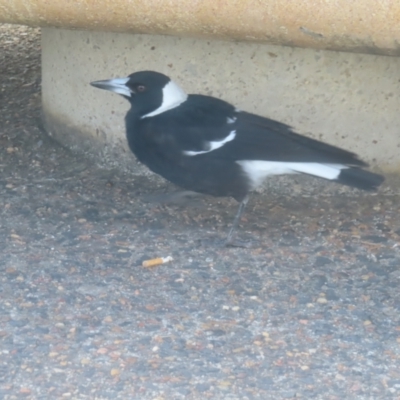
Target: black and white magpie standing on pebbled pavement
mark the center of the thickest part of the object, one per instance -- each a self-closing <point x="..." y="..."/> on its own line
<point x="207" y="145"/>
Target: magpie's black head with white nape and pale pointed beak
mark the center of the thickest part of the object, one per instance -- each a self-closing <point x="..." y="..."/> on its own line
<point x="150" y="93"/>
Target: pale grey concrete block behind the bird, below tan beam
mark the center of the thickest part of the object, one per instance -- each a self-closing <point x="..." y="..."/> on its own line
<point x="350" y="100"/>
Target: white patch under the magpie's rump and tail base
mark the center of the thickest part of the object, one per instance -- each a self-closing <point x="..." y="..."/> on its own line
<point x="257" y="170"/>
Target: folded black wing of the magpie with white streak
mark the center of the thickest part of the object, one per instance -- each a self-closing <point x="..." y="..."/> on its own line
<point x="208" y="127"/>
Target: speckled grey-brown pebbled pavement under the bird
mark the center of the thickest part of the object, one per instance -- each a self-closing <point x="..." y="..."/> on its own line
<point x="313" y="311"/>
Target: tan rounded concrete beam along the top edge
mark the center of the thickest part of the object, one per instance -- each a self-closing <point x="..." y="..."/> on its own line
<point x="367" y="26"/>
